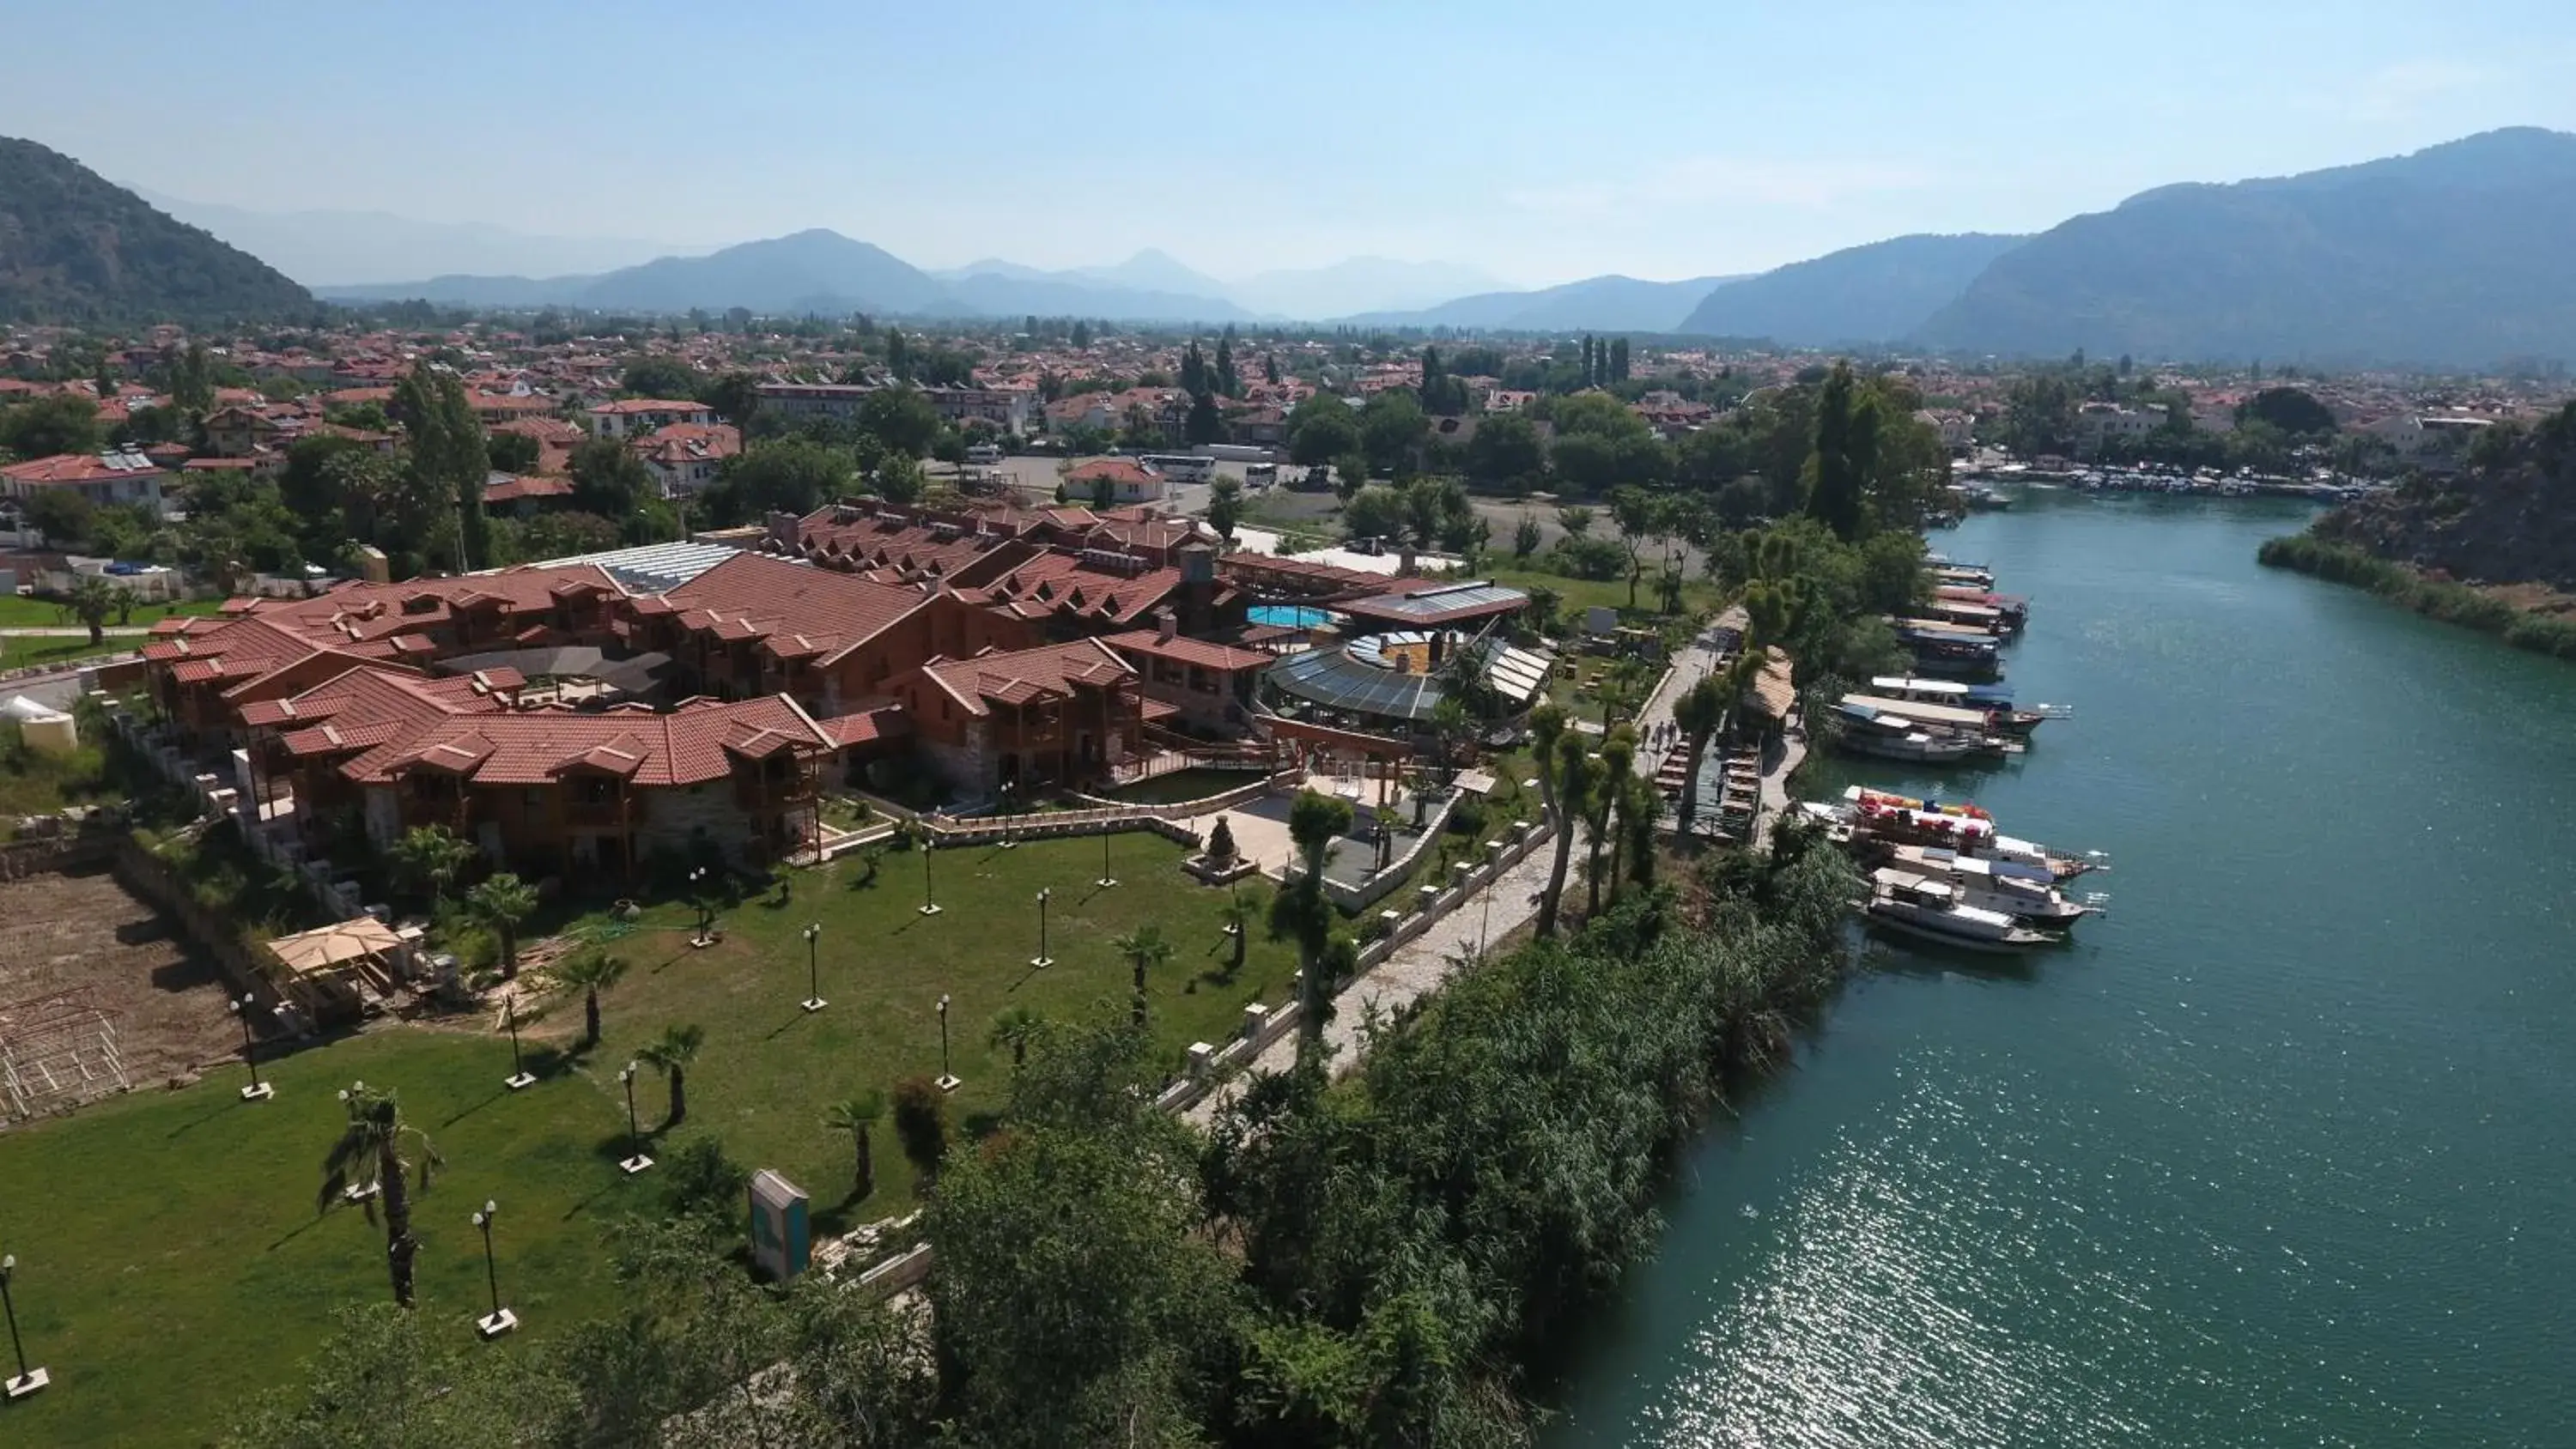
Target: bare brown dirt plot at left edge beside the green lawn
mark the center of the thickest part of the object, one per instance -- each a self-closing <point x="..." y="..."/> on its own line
<point x="89" y="938"/>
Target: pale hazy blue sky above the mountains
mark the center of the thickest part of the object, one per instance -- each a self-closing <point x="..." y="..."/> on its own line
<point x="1542" y="143"/>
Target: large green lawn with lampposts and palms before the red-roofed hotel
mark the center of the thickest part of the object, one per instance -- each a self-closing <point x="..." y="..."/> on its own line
<point x="169" y="1247"/>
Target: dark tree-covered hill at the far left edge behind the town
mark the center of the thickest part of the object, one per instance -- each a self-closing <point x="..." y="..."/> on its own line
<point x="81" y="248"/>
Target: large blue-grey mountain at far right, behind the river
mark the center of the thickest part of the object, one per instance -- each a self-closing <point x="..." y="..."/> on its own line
<point x="2454" y="256"/>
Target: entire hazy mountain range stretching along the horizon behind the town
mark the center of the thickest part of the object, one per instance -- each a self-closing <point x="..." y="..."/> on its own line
<point x="2454" y="256"/>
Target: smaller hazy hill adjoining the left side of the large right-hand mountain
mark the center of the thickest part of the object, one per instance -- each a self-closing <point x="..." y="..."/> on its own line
<point x="1859" y="295"/>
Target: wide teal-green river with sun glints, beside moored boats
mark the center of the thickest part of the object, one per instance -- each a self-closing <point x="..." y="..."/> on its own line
<point x="2276" y="1154"/>
